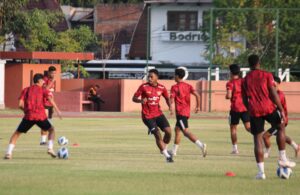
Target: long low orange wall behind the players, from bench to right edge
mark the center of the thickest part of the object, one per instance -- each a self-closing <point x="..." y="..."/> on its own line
<point x="118" y="94"/>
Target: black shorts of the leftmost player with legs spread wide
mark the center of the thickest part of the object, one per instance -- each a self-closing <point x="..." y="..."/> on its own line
<point x="25" y="125"/>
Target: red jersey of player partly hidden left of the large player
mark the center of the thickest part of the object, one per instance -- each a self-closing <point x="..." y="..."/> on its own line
<point x="237" y="104"/>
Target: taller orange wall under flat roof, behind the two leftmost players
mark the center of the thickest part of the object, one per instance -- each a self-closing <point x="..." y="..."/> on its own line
<point x="18" y="76"/>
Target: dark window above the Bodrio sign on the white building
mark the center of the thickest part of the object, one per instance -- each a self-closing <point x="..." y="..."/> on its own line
<point x="182" y="20"/>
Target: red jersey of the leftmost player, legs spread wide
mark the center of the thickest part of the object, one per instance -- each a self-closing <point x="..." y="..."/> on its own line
<point x="33" y="98"/>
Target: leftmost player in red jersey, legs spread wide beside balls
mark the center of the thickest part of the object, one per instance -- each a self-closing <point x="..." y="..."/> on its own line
<point x="31" y="102"/>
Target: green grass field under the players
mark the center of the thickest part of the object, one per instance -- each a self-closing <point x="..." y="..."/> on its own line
<point x="116" y="156"/>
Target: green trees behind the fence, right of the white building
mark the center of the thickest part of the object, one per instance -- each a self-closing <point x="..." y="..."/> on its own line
<point x="258" y="29"/>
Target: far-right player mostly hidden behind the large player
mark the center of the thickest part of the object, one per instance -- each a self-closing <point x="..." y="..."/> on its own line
<point x="273" y="131"/>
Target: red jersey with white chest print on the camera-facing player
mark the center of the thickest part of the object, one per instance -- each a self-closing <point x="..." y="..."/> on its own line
<point x="151" y="108"/>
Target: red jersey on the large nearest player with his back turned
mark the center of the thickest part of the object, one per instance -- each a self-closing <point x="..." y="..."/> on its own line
<point x="256" y="87"/>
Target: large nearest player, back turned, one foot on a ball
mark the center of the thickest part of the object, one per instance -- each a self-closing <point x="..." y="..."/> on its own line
<point x="259" y="97"/>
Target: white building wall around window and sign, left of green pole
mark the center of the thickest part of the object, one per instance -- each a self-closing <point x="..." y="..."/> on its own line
<point x="177" y="52"/>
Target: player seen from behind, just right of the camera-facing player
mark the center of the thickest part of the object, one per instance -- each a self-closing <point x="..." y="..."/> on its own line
<point x="181" y="95"/>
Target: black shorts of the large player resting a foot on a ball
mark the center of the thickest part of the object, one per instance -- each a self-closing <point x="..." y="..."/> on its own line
<point x="258" y="123"/>
